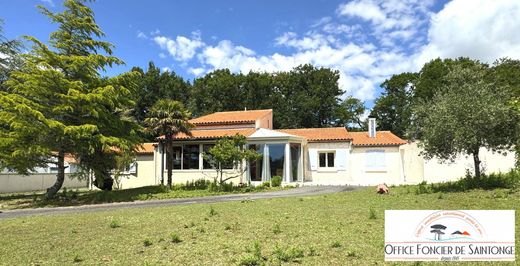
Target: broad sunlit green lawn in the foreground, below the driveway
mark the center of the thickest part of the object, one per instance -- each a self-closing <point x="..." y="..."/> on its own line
<point x="333" y="229"/>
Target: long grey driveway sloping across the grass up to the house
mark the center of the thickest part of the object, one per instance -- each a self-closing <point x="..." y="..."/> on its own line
<point x="295" y="192"/>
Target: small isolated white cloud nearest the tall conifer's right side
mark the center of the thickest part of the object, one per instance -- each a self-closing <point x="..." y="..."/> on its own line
<point x="181" y="48"/>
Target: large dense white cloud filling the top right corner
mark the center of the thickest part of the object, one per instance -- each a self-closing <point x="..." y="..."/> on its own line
<point x="479" y="29"/>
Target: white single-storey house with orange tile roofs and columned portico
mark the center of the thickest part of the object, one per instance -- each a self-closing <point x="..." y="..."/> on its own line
<point x="310" y="156"/>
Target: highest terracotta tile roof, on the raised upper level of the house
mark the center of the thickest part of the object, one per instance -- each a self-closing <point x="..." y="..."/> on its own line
<point x="238" y="117"/>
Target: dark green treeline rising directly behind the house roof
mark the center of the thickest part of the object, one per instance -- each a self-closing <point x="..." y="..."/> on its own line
<point x="306" y="96"/>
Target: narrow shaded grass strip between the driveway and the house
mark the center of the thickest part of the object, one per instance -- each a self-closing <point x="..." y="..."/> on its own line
<point x="83" y="197"/>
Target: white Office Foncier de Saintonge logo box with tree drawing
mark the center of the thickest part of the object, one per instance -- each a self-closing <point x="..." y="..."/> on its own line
<point x="449" y="235"/>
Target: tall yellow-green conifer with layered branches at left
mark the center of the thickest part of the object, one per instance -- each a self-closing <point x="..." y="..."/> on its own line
<point x="59" y="104"/>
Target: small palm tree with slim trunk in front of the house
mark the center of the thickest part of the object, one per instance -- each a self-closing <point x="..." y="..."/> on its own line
<point x="168" y="118"/>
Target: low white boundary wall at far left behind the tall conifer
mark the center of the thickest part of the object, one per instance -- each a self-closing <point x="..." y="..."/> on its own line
<point x="35" y="182"/>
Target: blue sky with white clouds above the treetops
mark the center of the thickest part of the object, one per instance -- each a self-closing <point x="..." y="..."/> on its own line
<point x="366" y="40"/>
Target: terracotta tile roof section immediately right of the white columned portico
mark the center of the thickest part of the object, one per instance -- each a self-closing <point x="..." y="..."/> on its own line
<point x="320" y="134"/>
